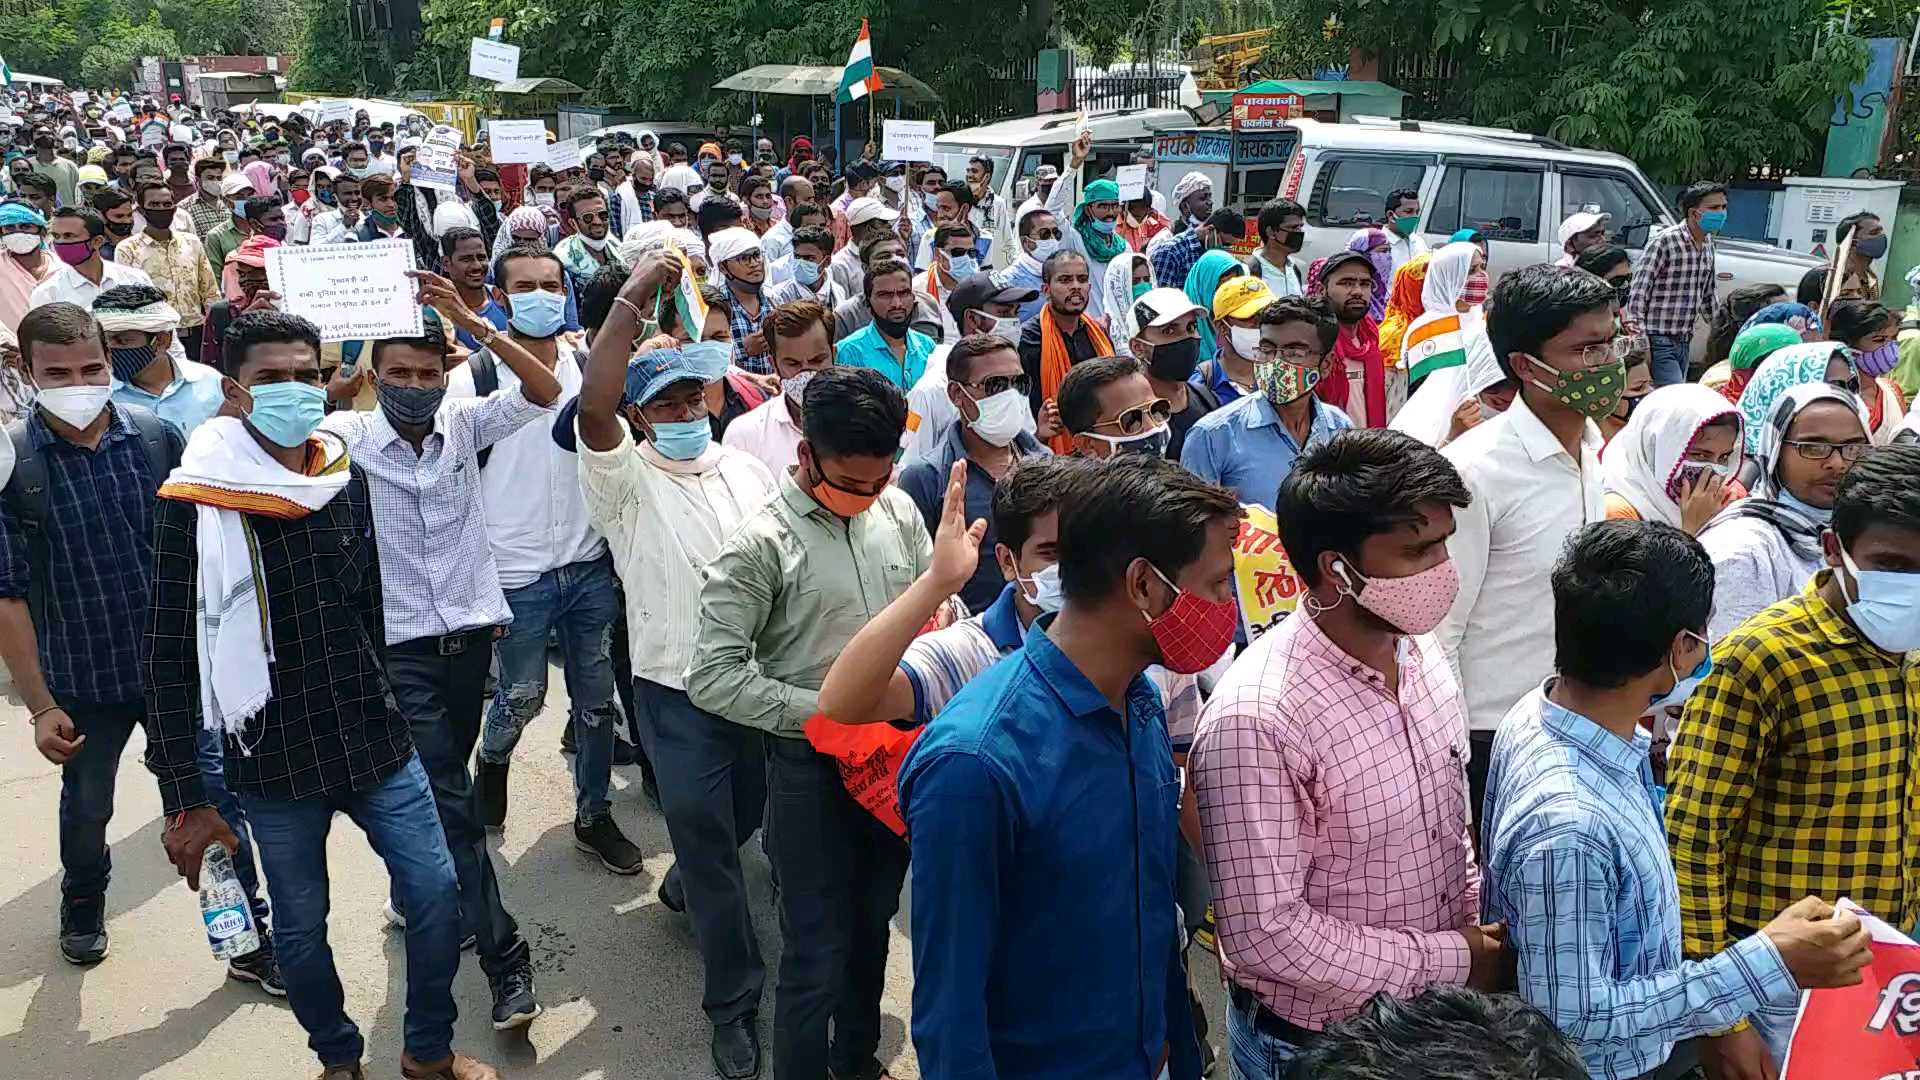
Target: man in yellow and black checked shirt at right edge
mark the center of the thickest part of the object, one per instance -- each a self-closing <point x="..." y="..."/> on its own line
<point x="1810" y="704"/>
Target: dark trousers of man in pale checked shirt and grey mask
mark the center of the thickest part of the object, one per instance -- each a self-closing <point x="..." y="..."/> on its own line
<point x="441" y="687"/>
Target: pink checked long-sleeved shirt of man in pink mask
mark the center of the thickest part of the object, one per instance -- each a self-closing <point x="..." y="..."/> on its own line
<point x="1335" y="823"/>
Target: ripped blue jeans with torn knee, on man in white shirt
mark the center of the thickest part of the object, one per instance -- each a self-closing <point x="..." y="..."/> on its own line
<point x="583" y="604"/>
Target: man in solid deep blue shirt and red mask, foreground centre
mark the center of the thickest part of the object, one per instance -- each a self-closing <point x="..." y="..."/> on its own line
<point x="1015" y="895"/>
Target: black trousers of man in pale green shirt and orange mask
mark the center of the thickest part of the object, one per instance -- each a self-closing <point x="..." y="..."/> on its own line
<point x="840" y="879"/>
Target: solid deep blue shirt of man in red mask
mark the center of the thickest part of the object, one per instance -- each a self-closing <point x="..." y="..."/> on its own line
<point x="1044" y="827"/>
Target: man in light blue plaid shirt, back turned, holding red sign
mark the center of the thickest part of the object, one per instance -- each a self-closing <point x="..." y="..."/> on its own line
<point x="1575" y="841"/>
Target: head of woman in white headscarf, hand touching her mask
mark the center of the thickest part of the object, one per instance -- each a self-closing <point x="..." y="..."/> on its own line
<point x="1675" y="460"/>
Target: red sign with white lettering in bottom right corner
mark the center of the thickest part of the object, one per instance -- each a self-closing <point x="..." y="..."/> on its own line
<point x="1869" y="1031"/>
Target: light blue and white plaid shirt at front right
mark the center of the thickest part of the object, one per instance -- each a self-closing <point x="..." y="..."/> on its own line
<point x="1577" y="868"/>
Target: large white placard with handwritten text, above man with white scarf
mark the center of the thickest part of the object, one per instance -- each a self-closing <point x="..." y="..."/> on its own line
<point x="348" y="291"/>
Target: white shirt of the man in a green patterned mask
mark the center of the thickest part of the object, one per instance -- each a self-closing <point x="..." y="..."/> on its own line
<point x="1527" y="499"/>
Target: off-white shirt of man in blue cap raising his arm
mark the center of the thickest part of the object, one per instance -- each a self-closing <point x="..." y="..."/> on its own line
<point x="663" y="522"/>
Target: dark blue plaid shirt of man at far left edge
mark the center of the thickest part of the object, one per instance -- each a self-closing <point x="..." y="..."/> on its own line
<point x="101" y="549"/>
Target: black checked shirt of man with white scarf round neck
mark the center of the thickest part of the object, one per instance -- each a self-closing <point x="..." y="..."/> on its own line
<point x="327" y="725"/>
